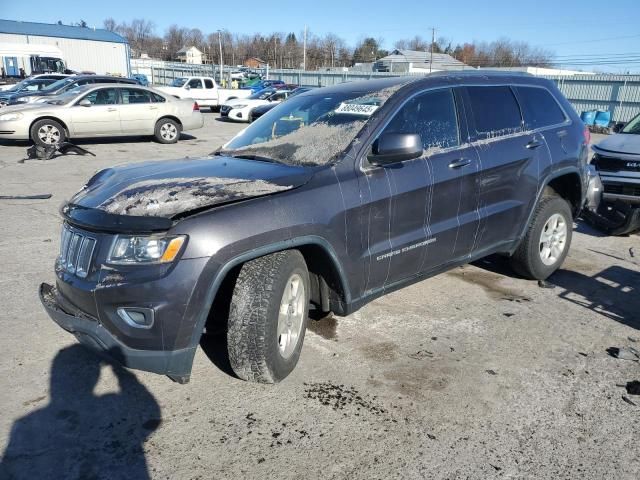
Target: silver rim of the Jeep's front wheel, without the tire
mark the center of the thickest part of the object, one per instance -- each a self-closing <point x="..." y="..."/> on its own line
<point x="291" y="315"/>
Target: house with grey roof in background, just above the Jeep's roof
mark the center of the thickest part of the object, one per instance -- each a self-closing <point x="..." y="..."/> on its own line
<point x="408" y="61"/>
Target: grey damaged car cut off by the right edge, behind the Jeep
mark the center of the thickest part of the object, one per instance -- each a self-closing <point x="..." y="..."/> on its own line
<point x="617" y="159"/>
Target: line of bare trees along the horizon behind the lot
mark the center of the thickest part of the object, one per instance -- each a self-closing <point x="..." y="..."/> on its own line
<point x="286" y="50"/>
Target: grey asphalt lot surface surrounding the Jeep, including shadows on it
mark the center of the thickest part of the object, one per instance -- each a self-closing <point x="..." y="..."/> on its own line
<point x="474" y="373"/>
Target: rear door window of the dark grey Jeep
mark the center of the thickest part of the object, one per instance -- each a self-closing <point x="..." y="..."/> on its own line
<point x="495" y="110"/>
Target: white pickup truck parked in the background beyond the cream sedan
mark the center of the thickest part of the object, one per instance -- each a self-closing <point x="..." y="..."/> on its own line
<point x="203" y="90"/>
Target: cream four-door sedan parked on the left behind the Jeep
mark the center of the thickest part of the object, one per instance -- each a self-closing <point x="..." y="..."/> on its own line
<point x="101" y="110"/>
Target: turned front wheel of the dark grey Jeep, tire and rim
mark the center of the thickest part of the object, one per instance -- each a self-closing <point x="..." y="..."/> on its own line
<point x="258" y="348"/>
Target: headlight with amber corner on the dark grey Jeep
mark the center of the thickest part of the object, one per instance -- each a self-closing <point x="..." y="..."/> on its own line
<point x="127" y="250"/>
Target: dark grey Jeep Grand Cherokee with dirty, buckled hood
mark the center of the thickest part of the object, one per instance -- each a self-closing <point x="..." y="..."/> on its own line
<point x="333" y="198"/>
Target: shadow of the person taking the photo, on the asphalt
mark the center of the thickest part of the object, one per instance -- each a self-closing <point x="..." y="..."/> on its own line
<point x="79" y="434"/>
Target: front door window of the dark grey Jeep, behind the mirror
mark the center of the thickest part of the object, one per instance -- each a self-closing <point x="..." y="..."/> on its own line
<point x="432" y="115"/>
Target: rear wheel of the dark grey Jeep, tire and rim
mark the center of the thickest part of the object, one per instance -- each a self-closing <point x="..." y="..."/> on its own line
<point x="537" y="257"/>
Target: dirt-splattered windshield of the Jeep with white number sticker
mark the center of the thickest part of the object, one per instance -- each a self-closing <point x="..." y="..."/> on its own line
<point x="308" y="129"/>
